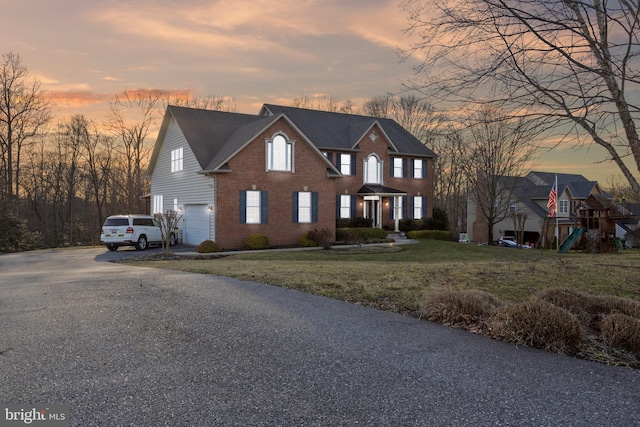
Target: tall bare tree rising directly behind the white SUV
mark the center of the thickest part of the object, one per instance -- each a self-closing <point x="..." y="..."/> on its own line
<point x="131" y="120"/>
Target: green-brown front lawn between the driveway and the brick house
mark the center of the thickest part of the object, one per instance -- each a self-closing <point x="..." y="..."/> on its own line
<point x="396" y="278"/>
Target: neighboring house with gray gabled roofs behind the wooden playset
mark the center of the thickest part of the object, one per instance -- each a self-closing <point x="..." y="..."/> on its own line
<point x="530" y="197"/>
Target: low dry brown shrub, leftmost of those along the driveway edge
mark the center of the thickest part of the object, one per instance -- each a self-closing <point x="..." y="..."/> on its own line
<point x="459" y="308"/>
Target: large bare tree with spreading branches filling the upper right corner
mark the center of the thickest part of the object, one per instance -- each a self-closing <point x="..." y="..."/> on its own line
<point x="573" y="64"/>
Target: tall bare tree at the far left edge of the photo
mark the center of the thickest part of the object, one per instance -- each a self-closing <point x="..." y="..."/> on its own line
<point x="24" y="110"/>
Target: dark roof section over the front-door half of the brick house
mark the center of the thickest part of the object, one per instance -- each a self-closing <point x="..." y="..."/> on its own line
<point x="340" y="131"/>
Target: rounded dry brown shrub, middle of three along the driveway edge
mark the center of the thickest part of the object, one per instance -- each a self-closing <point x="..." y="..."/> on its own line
<point x="537" y="324"/>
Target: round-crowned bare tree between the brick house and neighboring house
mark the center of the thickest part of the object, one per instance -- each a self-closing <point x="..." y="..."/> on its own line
<point x="498" y="151"/>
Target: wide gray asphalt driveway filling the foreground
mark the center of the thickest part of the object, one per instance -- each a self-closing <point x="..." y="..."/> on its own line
<point x="144" y="346"/>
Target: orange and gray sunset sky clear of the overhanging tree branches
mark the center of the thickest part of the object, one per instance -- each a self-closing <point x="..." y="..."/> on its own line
<point x="254" y="51"/>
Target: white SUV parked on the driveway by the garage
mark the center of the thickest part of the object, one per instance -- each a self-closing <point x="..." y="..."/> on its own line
<point x="140" y="231"/>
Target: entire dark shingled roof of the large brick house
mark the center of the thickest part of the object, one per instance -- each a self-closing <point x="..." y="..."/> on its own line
<point x="216" y="136"/>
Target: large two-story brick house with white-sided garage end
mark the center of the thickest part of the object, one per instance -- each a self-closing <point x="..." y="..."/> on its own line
<point x="284" y="172"/>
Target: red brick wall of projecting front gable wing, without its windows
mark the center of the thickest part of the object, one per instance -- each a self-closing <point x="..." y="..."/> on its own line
<point x="248" y="172"/>
